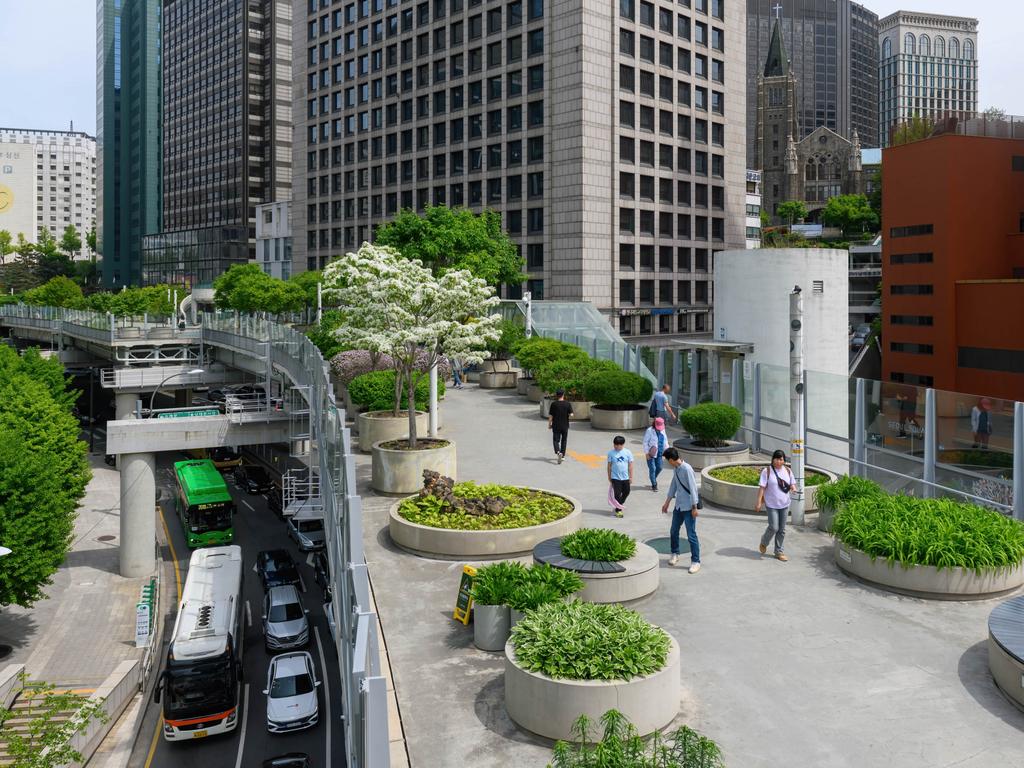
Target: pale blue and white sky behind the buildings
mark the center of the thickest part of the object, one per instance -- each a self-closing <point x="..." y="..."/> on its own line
<point x="49" y="49"/>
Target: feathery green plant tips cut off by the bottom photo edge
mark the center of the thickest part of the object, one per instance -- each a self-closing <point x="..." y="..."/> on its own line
<point x="622" y="747"/>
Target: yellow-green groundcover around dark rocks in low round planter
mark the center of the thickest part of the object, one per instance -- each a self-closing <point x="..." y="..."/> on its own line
<point x="526" y="508"/>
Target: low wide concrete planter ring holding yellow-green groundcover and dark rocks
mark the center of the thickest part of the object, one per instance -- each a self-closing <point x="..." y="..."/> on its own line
<point x="446" y="543"/>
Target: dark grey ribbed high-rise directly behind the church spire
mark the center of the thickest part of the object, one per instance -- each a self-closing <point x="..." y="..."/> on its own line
<point x="833" y="57"/>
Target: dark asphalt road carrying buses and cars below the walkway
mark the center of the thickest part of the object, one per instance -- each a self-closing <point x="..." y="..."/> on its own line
<point x="249" y="745"/>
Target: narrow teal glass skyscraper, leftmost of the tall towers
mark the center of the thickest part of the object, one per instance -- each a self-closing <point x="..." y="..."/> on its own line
<point x="129" y="132"/>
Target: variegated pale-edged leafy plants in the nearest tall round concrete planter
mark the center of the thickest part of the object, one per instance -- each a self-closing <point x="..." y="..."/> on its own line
<point x="589" y="642"/>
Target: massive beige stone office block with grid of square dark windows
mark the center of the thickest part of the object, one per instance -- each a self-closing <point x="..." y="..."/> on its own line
<point x="607" y="136"/>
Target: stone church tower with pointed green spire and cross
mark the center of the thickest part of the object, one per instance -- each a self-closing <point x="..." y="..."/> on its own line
<point x="778" y="129"/>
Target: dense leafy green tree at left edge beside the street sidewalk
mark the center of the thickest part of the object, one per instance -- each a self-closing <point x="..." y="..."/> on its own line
<point x="44" y="475"/>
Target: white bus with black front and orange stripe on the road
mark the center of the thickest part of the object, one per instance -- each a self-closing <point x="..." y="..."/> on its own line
<point x="201" y="685"/>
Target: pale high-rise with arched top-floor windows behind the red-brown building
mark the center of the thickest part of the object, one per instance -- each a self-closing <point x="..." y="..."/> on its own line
<point x="928" y="68"/>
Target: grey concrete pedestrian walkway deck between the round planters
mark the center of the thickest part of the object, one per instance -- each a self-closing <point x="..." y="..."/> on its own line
<point x="783" y="664"/>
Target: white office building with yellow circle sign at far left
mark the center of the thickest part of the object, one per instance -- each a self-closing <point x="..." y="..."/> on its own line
<point x="48" y="180"/>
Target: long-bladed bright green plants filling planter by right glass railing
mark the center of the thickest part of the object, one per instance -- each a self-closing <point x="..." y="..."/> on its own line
<point x="943" y="533"/>
